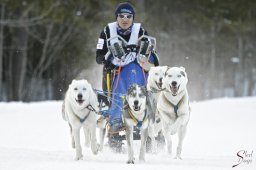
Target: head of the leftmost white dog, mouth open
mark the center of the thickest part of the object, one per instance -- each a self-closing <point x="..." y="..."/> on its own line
<point x="82" y="94"/>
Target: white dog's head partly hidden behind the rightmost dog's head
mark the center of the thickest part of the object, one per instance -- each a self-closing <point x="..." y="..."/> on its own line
<point x="155" y="77"/>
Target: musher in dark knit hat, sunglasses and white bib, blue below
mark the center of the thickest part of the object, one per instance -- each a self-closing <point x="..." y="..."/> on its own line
<point x="127" y="53"/>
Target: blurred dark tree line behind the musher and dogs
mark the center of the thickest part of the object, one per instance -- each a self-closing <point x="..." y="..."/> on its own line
<point x="45" y="44"/>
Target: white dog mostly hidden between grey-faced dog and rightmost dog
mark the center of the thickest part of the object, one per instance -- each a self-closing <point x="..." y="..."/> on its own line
<point x="154" y="87"/>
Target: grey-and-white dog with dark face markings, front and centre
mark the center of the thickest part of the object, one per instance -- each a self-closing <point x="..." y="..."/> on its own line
<point x="135" y="115"/>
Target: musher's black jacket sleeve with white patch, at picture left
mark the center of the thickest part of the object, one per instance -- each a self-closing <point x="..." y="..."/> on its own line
<point x="101" y="48"/>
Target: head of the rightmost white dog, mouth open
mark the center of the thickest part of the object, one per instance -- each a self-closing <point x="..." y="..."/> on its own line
<point x="175" y="80"/>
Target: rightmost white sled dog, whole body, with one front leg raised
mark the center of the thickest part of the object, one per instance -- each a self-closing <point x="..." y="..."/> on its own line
<point x="173" y="106"/>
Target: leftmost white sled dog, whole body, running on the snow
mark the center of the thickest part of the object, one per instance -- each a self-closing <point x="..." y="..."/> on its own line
<point x="79" y="109"/>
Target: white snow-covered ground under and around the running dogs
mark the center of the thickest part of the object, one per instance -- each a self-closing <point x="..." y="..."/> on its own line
<point x="33" y="136"/>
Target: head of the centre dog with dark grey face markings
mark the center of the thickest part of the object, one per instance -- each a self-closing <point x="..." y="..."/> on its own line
<point x="136" y="98"/>
